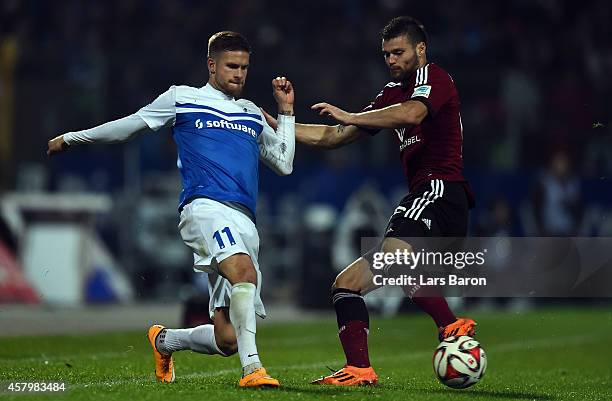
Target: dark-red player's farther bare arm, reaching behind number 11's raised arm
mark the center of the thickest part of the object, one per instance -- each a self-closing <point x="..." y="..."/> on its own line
<point x="324" y="136"/>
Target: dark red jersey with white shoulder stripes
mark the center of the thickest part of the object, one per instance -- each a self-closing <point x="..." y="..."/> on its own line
<point x="432" y="149"/>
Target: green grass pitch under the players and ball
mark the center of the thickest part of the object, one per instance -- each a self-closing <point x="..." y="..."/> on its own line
<point x="552" y="354"/>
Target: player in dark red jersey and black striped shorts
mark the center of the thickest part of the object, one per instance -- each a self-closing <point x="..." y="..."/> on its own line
<point x="421" y="105"/>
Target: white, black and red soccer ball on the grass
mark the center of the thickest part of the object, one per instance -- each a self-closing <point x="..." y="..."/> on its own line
<point x="459" y="362"/>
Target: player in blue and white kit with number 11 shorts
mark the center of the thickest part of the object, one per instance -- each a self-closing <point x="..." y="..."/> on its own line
<point x="220" y="139"/>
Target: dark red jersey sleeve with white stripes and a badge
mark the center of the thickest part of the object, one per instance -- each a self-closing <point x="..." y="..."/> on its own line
<point x="433" y="88"/>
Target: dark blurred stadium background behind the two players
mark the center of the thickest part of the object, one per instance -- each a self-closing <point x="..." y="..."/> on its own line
<point x="95" y="229"/>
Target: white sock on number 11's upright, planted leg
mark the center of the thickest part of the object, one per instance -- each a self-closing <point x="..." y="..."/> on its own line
<point x="242" y="316"/>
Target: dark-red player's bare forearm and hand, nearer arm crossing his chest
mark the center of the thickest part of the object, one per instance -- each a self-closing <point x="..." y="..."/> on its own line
<point x="395" y="116"/>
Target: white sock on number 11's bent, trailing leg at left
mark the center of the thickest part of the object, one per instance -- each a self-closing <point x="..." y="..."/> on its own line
<point x="199" y="339"/>
